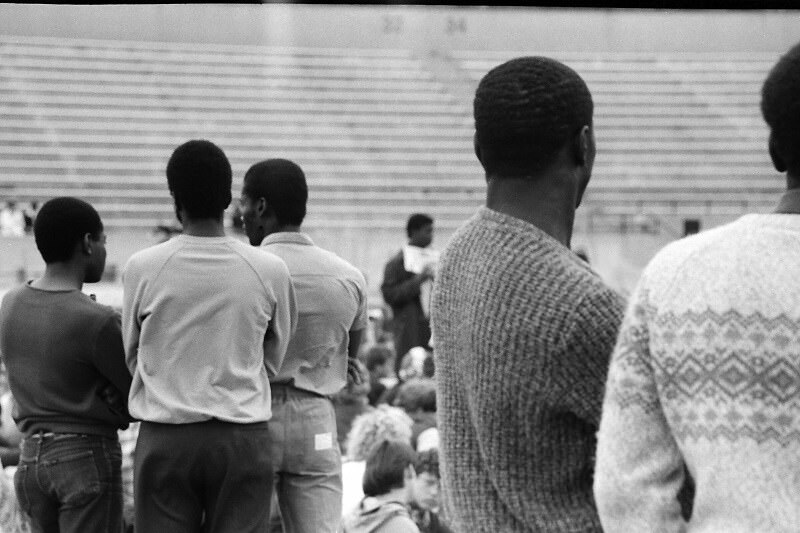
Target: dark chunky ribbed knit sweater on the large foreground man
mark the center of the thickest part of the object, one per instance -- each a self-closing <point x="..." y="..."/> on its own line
<point x="523" y="333"/>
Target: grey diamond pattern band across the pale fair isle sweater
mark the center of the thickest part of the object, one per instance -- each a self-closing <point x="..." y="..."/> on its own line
<point x="713" y="386"/>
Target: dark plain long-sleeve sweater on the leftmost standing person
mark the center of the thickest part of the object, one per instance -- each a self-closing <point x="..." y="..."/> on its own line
<point x="62" y="350"/>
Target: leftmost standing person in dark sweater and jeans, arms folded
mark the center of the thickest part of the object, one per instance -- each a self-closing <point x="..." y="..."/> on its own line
<point x="65" y="357"/>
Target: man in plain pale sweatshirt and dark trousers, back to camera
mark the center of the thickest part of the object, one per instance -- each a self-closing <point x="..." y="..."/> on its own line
<point x="206" y="322"/>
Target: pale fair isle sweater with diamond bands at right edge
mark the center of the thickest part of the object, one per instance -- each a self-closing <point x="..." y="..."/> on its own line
<point x="707" y="373"/>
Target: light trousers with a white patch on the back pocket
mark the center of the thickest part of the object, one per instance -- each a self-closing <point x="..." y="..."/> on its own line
<point x="308" y="463"/>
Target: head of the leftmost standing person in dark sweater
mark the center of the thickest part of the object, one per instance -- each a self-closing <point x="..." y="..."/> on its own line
<point x="70" y="230"/>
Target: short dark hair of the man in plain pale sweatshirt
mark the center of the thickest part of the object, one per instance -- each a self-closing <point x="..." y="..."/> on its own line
<point x="200" y="178"/>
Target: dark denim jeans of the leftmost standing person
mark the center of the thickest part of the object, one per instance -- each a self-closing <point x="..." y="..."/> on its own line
<point x="70" y="483"/>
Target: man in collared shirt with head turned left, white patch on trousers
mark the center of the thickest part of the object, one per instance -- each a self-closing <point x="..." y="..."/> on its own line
<point x="321" y="357"/>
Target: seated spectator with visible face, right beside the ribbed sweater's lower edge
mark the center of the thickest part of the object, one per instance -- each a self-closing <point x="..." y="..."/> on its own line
<point x="424" y="500"/>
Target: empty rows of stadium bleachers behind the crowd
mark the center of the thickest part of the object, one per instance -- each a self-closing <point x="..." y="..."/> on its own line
<point x="379" y="133"/>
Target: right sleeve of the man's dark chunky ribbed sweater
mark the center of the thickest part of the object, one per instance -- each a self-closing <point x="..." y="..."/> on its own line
<point x="589" y="344"/>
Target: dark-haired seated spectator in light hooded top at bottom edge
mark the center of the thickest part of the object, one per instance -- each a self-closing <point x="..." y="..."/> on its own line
<point x="387" y="484"/>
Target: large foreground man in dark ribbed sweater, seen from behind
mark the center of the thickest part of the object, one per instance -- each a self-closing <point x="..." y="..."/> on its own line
<point x="524" y="328"/>
